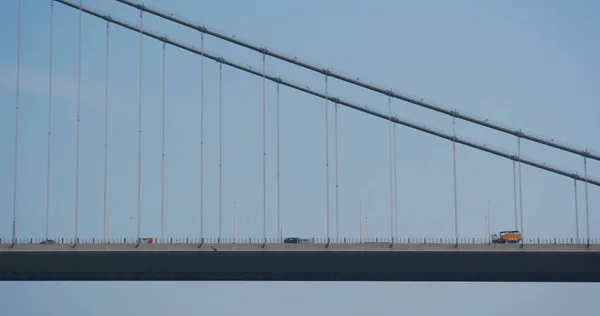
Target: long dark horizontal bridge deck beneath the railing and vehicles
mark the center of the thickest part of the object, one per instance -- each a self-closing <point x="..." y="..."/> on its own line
<point x="302" y="262"/>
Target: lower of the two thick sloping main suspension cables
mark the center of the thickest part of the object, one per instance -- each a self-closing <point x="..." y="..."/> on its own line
<point x="364" y="109"/>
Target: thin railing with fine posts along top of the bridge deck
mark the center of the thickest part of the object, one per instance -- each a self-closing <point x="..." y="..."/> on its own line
<point x="275" y="240"/>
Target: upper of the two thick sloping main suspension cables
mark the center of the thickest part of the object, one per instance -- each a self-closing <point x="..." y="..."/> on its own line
<point x="365" y="84"/>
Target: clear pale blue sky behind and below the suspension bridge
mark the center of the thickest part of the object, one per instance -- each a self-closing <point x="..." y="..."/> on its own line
<point x="530" y="65"/>
